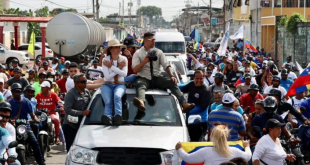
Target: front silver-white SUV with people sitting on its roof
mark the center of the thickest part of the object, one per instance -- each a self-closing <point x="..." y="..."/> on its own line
<point x="142" y="138"/>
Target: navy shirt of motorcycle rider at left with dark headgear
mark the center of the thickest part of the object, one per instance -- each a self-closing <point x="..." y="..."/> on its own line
<point x="26" y="108"/>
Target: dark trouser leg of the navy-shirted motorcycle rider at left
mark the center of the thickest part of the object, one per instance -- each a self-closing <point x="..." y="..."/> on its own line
<point x="36" y="148"/>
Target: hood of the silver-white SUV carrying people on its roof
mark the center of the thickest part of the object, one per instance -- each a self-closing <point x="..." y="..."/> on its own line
<point x="164" y="137"/>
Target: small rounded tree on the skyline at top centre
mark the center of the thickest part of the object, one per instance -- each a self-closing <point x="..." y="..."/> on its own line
<point x="150" y="11"/>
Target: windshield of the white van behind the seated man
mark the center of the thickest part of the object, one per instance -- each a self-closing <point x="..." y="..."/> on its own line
<point x="171" y="47"/>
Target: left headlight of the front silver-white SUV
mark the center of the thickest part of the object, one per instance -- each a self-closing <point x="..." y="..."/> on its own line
<point x="83" y="155"/>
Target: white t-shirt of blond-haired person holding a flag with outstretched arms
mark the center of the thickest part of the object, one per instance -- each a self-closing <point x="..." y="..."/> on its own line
<point x="208" y="155"/>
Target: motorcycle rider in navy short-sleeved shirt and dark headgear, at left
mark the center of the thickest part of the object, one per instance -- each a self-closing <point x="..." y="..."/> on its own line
<point x="21" y="107"/>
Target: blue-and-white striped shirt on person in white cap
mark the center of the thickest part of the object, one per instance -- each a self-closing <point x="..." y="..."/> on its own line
<point x="230" y="118"/>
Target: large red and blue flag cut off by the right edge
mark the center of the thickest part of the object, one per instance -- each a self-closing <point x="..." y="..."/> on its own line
<point x="300" y="83"/>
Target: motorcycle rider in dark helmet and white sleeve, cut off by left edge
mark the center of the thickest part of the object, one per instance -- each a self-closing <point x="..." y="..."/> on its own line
<point x="5" y="113"/>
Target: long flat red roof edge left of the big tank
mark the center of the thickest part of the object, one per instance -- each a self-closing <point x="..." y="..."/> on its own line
<point x="25" y="19"/>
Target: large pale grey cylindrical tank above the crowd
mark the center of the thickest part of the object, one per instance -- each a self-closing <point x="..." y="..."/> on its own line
<point x="71" y="34"/>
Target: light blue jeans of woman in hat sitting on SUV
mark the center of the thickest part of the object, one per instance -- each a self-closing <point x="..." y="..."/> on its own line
<point x="115" y="92"/>
